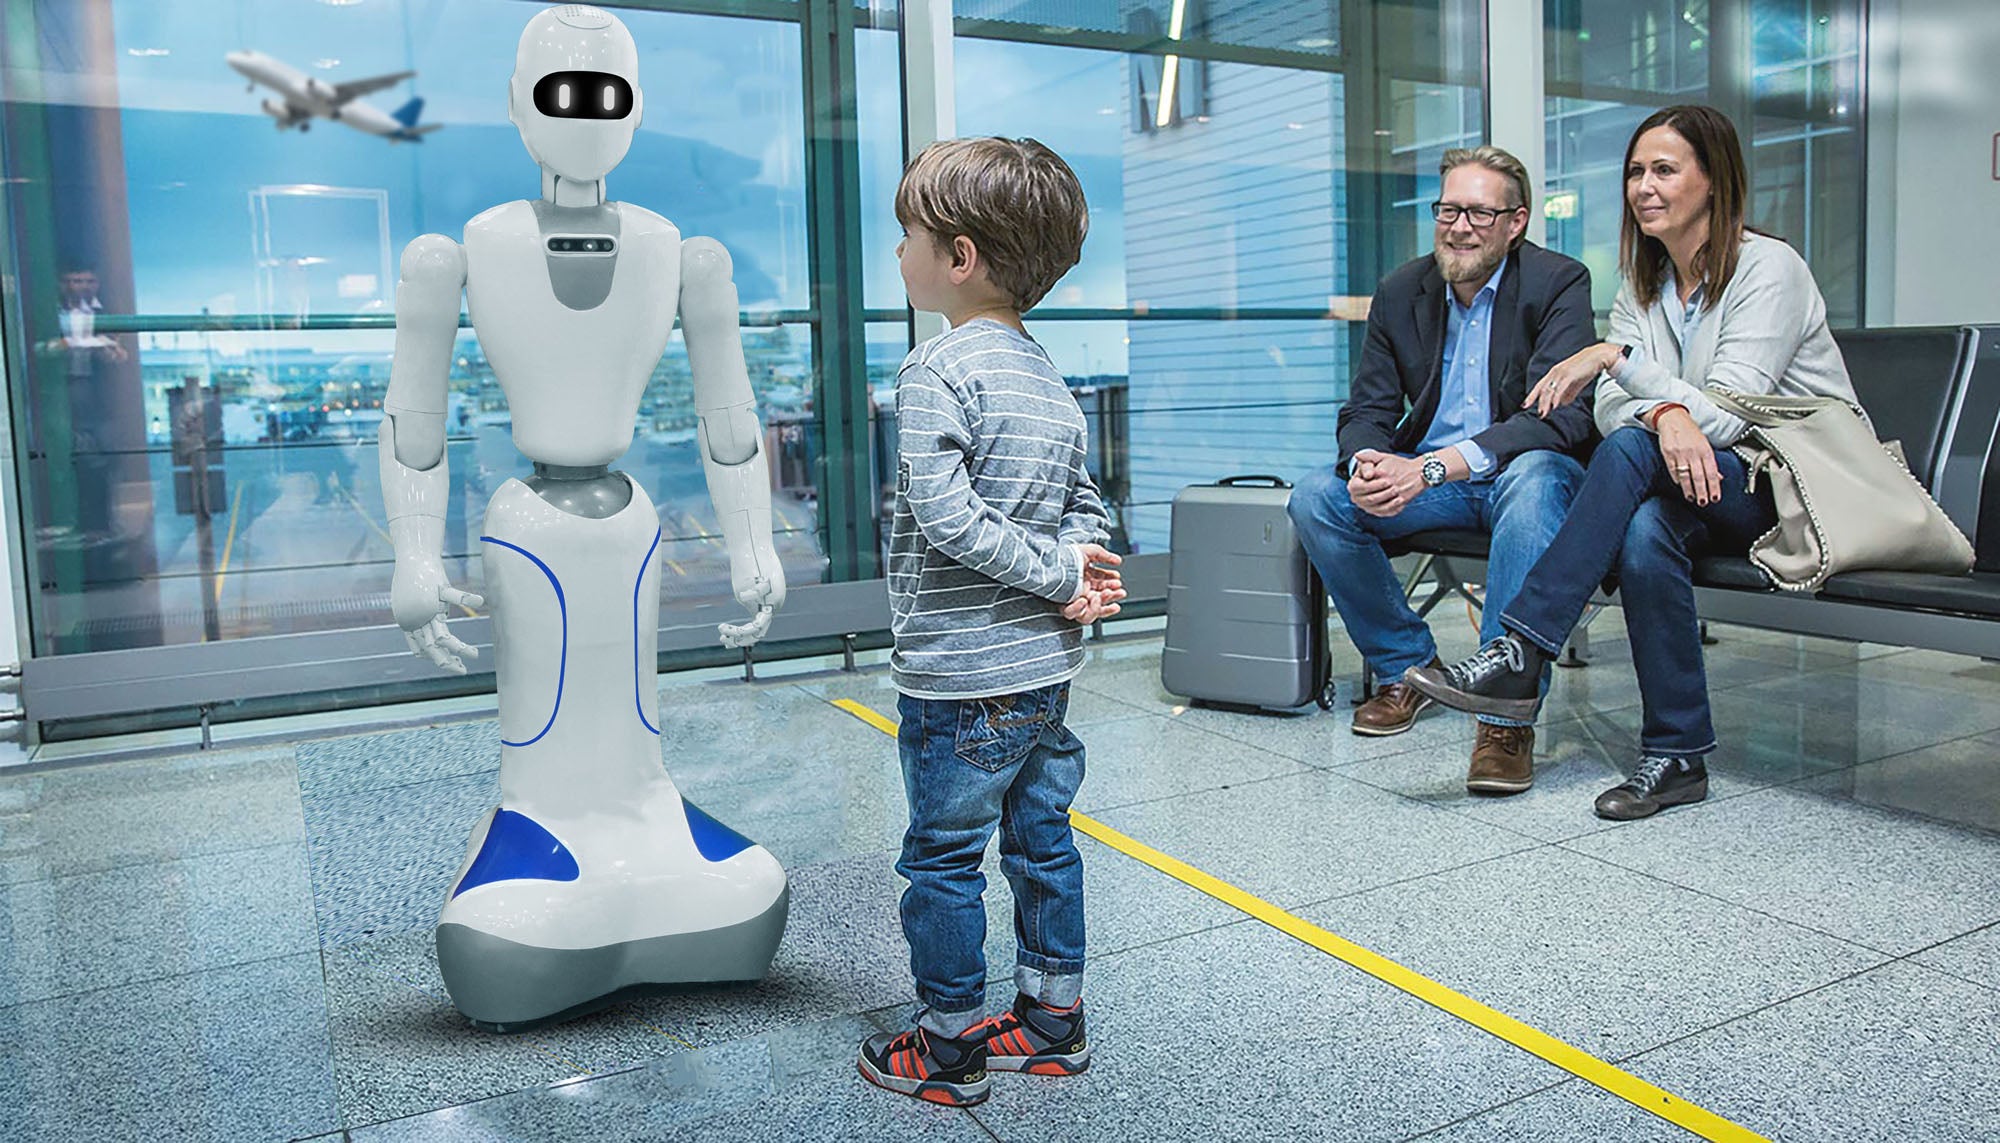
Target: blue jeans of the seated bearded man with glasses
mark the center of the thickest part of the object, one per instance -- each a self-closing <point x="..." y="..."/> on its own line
<point x="1523" y="509"/>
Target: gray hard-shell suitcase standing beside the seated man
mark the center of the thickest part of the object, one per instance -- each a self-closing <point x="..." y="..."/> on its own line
<point x="1245" y="610"/>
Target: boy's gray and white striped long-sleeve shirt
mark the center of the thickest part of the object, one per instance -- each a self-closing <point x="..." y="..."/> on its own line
<point x="991" y="509"/>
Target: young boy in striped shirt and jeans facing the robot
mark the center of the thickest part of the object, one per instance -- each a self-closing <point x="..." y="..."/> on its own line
<point x="995" y="565"/>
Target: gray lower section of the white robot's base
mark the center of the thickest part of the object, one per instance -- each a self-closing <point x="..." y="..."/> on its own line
<point x="507" y="986"/>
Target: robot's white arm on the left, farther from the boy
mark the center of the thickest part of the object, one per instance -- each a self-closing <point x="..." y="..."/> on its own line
<point x="415" y="481"/>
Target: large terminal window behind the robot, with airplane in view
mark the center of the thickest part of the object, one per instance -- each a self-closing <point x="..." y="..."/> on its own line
<point x="209" y="289"/>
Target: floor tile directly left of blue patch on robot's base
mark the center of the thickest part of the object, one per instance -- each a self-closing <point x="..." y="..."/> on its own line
<point x="383" y="860"/>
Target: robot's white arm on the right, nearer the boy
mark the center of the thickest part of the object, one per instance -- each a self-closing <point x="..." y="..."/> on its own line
<point x="733" y="457"/>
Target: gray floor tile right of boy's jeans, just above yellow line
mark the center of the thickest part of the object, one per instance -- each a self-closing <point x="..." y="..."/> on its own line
<point x="1153" y="758"/>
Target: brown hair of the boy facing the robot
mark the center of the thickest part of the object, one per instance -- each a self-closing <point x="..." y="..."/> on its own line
<point x="1015" y="199"/>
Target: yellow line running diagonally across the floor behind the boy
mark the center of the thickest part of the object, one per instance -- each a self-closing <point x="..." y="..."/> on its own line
<point x="1573" y="1060"/>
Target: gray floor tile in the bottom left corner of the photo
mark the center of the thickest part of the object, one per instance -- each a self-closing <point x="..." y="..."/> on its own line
<point x="227" y="1054"/>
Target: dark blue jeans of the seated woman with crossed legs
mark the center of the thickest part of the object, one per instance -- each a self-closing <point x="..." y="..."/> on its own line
<point x="1635" y="519"/>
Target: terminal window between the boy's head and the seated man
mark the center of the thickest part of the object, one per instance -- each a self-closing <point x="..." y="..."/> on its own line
<point x="1209" y="329"/>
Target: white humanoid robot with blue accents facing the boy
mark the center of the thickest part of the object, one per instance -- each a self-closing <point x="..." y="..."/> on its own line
<point x="591" y="878"/>
